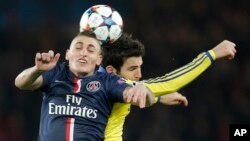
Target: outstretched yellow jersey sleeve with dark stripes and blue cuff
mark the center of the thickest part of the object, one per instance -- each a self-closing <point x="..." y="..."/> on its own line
<point x="175" y="80"/>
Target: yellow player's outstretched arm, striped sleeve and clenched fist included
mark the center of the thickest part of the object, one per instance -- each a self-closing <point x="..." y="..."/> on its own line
<point x="175" y="80"/>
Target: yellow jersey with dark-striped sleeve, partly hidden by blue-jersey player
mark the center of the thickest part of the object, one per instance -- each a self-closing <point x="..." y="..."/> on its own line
<point x="168" y="83"/>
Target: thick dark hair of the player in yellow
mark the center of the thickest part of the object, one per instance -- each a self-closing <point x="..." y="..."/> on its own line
<point x="123" y="48"/>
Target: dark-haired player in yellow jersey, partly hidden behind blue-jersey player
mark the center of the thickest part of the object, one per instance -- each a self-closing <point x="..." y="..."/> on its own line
<point x="124" y="57"/>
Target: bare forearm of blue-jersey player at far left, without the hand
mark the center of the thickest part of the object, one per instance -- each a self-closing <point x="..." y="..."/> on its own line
<point x="29" y="79"/>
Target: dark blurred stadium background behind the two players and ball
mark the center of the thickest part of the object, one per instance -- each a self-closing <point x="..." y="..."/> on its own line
<point x="173" y="31"/>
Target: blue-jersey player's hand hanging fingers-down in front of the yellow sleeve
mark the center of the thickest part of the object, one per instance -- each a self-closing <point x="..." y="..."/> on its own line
<point x="139" y="95"/>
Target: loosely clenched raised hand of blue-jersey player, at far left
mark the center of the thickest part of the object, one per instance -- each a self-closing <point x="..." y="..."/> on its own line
<point x="46" y="61"/>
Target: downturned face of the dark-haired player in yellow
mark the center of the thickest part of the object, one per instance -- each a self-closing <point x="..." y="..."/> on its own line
<point x="131" y="69"/>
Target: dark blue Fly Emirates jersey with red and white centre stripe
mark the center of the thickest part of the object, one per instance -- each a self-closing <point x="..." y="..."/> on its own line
<point x="75" y="109"/>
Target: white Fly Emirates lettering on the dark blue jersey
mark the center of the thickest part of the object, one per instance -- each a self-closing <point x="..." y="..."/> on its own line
<point x="77" y="110"/>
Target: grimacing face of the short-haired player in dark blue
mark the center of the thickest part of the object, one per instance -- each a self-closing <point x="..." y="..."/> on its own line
<point x="83" y="55"/>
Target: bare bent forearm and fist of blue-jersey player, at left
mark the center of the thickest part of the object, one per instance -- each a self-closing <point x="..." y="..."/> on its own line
<point x="31" y="78"/>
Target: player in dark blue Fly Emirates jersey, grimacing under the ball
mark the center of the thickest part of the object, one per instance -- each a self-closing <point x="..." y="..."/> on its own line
<point x="77" y="100"/>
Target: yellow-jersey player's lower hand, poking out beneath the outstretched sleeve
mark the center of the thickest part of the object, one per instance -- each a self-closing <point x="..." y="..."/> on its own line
<point x="174" y="99"/>
